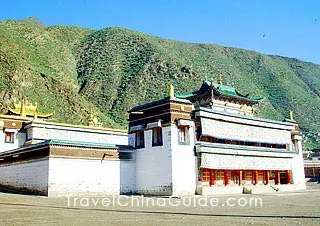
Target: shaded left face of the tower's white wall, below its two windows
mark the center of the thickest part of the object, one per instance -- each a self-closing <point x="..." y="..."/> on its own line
<point x="154" y="165"/>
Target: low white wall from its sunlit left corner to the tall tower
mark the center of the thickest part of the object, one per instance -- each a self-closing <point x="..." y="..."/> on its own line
<point x="90" y="177"/>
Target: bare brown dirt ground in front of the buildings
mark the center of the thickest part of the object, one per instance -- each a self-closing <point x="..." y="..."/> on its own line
<point x="298" y="208"/>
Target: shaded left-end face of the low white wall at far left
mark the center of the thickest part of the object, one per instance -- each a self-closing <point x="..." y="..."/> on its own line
<point x="31" y="175"/>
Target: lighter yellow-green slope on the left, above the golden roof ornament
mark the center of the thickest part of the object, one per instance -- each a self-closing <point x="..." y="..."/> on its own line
<point x="35" y="63"/>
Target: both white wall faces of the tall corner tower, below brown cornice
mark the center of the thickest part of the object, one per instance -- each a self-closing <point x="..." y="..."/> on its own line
<point x="169" y="169"/>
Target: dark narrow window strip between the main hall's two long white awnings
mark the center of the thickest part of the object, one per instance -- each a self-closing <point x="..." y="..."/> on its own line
<point x="245" y="143"/>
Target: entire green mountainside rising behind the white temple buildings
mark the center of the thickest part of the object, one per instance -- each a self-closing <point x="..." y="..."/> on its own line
<point x="69" y="69"/>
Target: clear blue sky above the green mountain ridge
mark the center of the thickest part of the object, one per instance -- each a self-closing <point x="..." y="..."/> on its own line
<point x="278" y="27"/>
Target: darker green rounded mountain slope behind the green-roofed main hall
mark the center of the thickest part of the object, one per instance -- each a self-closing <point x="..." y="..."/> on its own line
<point x="119" y="68"/>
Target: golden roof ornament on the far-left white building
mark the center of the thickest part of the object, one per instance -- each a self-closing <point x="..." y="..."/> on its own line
<point x="25" y="108"/>
